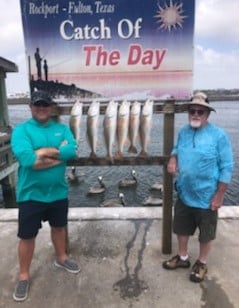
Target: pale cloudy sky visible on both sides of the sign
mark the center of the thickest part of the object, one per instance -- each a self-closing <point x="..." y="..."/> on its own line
<point x="216" y="44"/>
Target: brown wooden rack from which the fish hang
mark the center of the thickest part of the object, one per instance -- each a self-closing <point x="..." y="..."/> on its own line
<point x="168" y="108"/>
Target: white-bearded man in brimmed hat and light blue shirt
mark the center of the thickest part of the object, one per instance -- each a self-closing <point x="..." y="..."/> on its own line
<point x="202" y="160"/>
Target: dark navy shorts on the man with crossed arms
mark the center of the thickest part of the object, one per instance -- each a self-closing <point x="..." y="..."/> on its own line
<point x="32" y="213"/>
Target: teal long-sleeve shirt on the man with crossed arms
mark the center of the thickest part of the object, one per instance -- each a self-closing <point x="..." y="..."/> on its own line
<point x="45" y="185"/>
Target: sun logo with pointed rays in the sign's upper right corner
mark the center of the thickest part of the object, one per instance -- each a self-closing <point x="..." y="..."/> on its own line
<point x="170" y="16"/>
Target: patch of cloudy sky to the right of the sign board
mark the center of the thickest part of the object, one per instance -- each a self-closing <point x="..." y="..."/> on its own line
<point x="216" y="55"/>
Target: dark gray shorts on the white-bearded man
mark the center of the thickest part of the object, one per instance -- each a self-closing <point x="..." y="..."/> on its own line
<point x="187" y="219"/>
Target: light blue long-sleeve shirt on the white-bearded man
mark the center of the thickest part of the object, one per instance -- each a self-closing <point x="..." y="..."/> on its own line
<point x="204" y="158"/>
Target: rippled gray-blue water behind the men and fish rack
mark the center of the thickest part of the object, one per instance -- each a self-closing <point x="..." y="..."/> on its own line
<point x="227" y="117"/>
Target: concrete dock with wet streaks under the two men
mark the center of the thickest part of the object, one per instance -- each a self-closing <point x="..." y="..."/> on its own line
<point x="119" y="250"/>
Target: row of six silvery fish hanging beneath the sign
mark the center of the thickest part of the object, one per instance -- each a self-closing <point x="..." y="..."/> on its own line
<point x="123" y="123"/>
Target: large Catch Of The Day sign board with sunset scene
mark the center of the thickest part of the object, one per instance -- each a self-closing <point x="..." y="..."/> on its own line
<point x="110" y="48"/>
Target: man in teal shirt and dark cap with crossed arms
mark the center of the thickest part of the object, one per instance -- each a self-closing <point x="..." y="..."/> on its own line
<point x="42" y="147"/>
